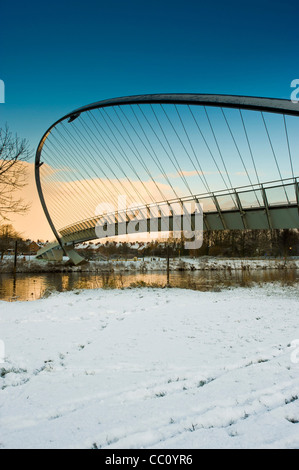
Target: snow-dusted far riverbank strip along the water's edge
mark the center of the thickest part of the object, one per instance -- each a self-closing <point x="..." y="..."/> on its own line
<point x="33" y="265"/>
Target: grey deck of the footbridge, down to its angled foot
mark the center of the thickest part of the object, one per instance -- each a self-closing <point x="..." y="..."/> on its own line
<point x="268" y="215"/>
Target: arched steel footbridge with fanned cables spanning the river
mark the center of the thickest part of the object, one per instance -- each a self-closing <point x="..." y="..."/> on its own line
<point x="150" y="148"/>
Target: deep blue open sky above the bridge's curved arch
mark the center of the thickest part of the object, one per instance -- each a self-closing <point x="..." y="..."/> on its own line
<point x="56" y="56"/>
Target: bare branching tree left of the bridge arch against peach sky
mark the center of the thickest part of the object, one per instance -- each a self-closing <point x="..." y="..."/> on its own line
<point x="13" y="153"/>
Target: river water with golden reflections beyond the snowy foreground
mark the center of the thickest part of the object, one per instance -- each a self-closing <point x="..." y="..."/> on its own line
<point x="34" y="286"/>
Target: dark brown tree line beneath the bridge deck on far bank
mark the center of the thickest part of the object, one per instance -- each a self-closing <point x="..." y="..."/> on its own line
<point x="226" y="243"/>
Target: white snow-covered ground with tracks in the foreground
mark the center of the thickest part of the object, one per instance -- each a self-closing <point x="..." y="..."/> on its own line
<point x="151" y="368"/>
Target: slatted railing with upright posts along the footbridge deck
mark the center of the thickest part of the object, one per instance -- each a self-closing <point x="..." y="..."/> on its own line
<point x="275" y="193"/>
